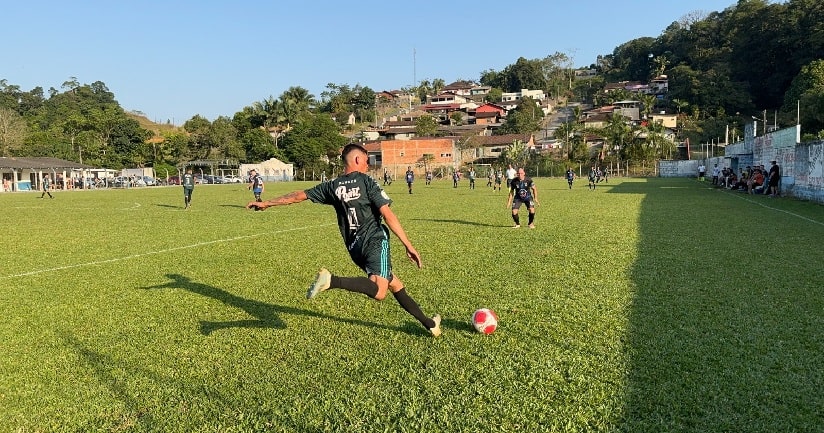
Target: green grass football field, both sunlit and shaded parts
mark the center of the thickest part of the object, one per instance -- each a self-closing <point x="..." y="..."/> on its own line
<point x="648" y="305"/>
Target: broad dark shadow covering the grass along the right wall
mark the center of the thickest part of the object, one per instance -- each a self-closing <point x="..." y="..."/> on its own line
<point x="718" y="338"/>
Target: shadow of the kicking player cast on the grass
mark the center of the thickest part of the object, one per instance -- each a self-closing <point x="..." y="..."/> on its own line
<point x="265" y="315"/>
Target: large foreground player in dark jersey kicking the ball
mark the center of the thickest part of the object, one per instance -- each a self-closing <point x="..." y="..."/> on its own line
<point x="361" y="205"/>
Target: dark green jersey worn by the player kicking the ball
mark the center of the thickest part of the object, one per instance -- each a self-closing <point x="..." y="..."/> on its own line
<point x="357" y="200"/>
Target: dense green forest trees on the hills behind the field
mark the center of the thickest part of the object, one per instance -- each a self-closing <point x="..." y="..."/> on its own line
<point x="753" y="59"/>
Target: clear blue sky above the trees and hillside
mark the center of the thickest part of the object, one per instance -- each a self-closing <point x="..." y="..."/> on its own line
<point x="174" y="59"/>
